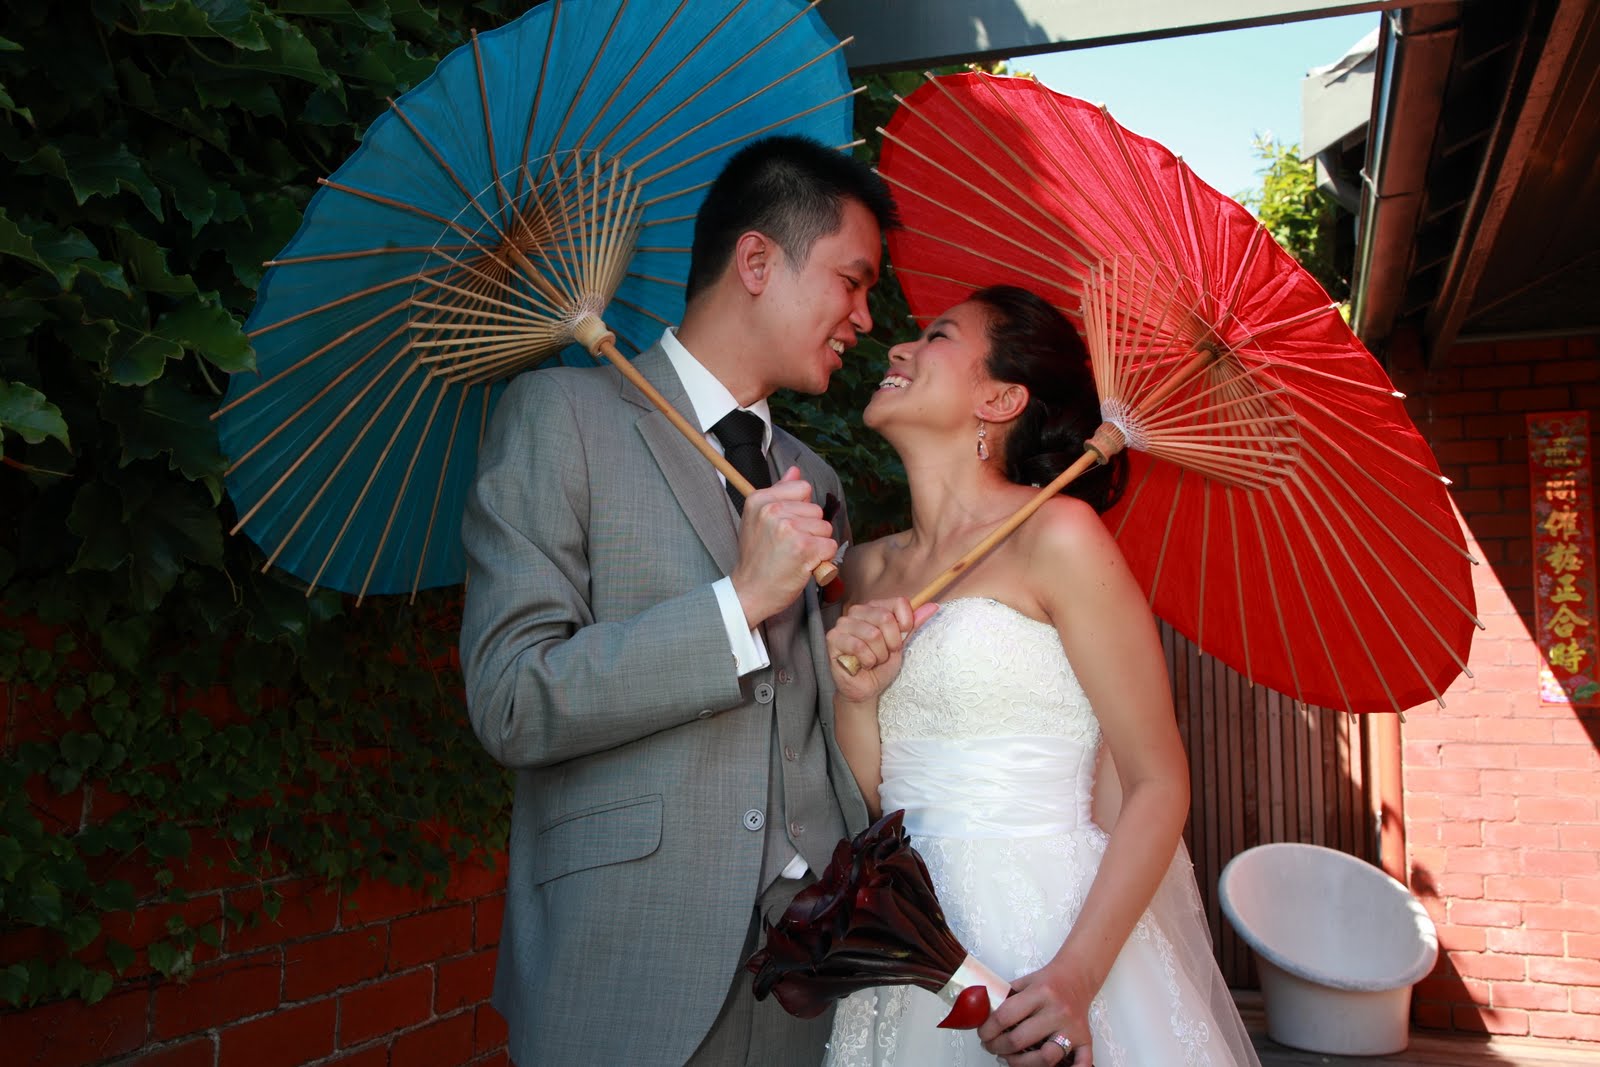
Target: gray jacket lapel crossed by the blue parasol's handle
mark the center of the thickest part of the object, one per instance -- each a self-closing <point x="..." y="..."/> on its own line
<point x="689" y="474"/>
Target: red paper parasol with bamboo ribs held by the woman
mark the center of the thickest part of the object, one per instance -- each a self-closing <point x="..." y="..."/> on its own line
<point x="1282" y="511"/>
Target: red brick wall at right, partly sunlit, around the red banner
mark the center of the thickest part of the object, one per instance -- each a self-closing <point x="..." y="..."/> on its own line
<point x="1503" y="796"/>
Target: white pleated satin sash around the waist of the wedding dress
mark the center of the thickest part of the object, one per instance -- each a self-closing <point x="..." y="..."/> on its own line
<point x="990" y="786"/>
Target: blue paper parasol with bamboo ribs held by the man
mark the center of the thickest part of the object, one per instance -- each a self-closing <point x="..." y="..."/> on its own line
<point x="535" y="198"/>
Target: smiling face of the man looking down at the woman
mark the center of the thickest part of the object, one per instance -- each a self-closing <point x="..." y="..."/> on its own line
<point x="818" y="308"/>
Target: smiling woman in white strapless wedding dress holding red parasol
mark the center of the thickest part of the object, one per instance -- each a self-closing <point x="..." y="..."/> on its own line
<point x="985" y="719"/>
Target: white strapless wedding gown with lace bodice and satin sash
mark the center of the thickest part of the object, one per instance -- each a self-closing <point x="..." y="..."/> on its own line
<point x="990" y="746"/>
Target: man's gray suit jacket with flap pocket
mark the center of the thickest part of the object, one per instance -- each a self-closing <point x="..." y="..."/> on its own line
<point x="599" y="669"/>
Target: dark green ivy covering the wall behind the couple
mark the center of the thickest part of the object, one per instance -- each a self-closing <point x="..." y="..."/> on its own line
<point x="169" y="703"/>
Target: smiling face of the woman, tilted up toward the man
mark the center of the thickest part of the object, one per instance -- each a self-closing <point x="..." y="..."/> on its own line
<point x="934" y="380"/>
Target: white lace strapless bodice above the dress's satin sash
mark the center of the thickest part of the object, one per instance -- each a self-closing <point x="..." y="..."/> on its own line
<point x="983" y="669"/>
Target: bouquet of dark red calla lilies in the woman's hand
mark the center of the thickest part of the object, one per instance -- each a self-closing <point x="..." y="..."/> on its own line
<point x="873" y="919"/>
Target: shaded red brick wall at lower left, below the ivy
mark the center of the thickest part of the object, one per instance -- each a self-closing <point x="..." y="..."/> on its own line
<point x="374" y="978"/>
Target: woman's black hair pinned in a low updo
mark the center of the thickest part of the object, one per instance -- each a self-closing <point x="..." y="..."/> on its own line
<point x="1033" y="345"/>
